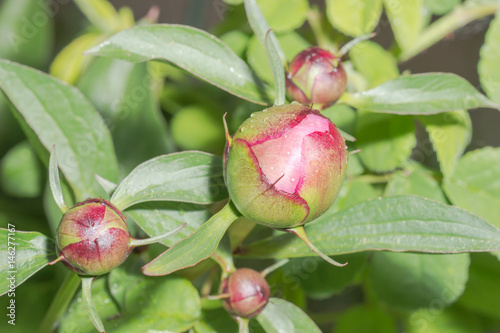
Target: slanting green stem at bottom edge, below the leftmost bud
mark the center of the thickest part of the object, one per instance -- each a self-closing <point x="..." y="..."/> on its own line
<point x="60" y="302"/>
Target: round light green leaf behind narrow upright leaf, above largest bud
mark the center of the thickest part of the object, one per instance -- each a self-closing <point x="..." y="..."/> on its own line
<point x="292" y="43"/>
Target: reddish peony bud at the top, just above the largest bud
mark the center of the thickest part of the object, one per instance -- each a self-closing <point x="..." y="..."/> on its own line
<point x="315" y="76"/>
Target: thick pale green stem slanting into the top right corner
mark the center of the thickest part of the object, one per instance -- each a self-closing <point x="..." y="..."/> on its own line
<point x="458" y="18"/>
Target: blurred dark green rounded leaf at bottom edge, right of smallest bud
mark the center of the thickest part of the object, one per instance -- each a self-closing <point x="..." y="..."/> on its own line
<point x="375" y="320"/>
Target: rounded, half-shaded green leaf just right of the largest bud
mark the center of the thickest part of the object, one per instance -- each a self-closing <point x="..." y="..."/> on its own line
<point x="387" y="135"/>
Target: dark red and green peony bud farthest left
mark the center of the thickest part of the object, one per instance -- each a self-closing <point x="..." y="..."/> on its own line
<point x="93" y="237"/>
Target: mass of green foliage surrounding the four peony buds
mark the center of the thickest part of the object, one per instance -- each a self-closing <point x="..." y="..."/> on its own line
<point x="134" y="110"/>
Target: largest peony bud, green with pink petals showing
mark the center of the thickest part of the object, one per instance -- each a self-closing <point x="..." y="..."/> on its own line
<point x="285" y="165"/>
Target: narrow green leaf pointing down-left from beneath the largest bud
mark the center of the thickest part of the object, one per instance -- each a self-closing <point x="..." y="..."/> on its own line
<point x="197" y="247"/>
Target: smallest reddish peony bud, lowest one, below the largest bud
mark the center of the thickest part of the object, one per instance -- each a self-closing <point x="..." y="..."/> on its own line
<point x="247" y="292"/>
